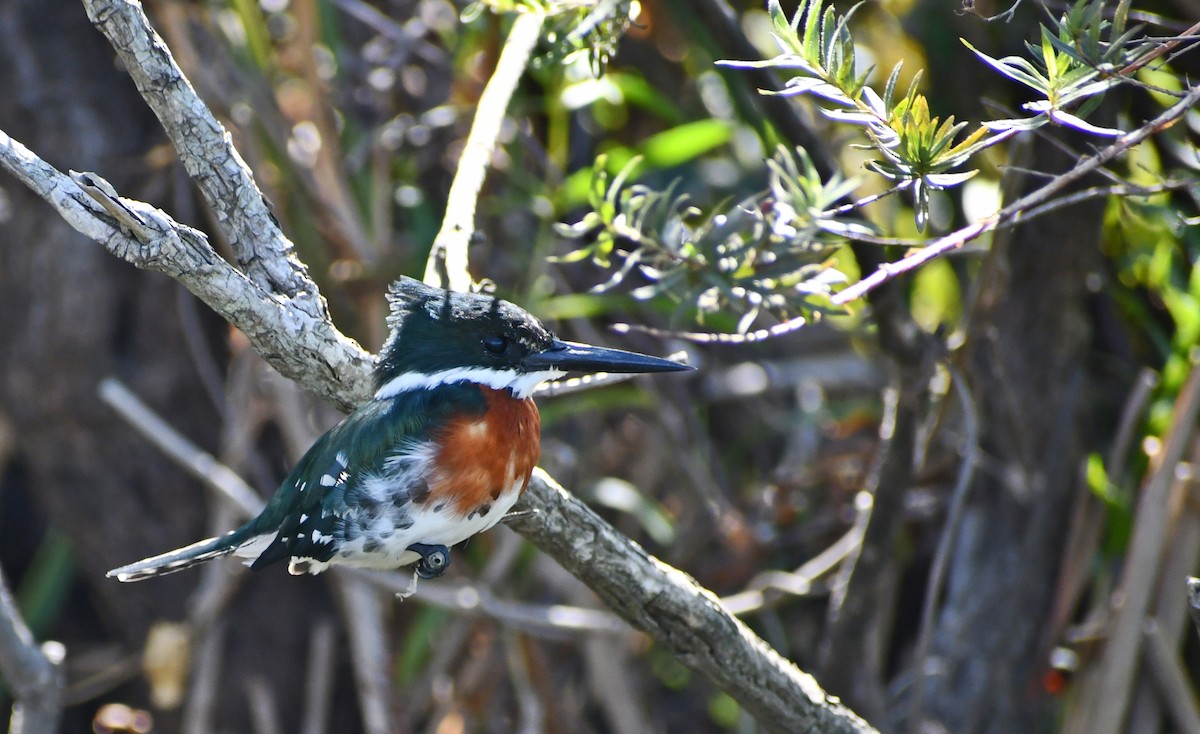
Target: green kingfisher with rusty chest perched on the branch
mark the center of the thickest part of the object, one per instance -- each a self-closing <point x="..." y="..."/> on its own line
<point x="441" y="453"/>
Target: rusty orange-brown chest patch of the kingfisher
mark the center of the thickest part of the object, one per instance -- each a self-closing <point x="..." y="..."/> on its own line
<point x="481" y="458"/>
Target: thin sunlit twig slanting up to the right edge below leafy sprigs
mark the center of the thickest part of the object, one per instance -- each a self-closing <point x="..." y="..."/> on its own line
<point x="1016" y="212"/>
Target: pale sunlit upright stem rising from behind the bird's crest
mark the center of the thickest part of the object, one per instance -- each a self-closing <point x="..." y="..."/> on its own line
<point x="448" y="264"/>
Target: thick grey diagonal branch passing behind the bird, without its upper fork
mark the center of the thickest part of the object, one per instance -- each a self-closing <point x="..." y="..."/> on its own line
<point x="645" y="592"/>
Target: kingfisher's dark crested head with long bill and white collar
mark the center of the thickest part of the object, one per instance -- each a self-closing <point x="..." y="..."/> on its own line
<point x="441" y="336"/>
